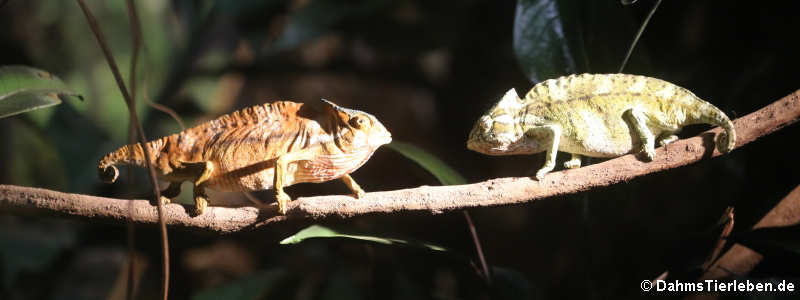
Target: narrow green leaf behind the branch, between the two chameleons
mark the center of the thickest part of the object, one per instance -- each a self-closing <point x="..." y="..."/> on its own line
<point x="444" y="173"/>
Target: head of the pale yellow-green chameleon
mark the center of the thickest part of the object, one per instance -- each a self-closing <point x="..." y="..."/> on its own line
<point x="499" y="130"/>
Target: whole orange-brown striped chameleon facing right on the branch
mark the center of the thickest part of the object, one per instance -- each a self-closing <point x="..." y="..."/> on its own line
<point x="267" y="146"/>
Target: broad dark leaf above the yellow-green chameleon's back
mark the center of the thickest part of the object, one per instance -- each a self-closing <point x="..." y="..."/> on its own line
<point x="553" y="38"/>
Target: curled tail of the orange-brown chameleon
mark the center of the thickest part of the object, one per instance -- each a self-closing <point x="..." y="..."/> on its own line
<point x="127" y="155"/>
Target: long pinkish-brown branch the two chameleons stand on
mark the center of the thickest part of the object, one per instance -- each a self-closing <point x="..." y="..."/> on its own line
<point x="433" y="199"/>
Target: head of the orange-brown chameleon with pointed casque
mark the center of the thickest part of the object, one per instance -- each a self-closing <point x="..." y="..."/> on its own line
<point x="359" y="128"/>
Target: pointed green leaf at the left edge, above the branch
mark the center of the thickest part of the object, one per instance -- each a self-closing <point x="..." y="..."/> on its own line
<point x="24" y="89"/>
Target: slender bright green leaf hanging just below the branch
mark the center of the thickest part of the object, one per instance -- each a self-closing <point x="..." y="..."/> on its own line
<point x="317" y="231"/>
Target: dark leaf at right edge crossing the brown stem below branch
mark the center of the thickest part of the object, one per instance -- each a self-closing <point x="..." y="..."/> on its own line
<point x="771" y="240"/>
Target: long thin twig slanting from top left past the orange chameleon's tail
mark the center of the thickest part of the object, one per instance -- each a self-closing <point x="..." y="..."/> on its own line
<point x="142" y="139"/>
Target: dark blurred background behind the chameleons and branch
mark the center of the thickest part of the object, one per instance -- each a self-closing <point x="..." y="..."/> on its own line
<point x="427" y="70"/>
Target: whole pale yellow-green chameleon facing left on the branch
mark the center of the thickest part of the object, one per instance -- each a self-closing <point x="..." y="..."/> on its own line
<point x="595" y="115"/>
